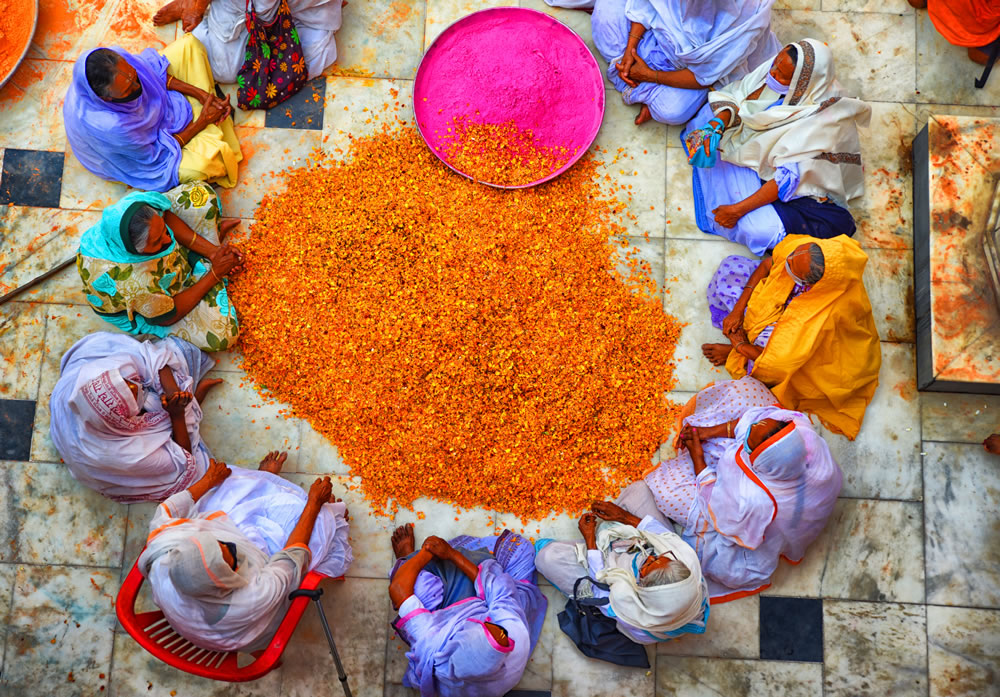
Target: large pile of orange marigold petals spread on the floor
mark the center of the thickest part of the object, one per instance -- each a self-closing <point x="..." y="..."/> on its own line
<point x="482" y="346"/>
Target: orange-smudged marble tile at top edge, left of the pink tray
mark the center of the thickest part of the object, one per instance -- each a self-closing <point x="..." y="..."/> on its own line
<point x="380" y="38"/>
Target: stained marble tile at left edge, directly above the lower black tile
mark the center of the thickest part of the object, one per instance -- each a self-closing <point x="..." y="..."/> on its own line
<point x="22" y="330"/>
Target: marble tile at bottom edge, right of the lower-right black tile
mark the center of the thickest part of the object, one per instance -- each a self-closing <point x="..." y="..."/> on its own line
<point x="874" y="648"/>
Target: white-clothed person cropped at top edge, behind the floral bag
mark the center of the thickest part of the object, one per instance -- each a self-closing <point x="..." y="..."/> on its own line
<point x="220" y="26"/>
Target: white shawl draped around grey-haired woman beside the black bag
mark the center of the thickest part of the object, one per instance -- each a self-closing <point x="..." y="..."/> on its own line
<point x="660" y="610"/>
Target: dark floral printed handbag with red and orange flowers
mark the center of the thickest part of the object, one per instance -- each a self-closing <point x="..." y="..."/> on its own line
<point x="274" y="67"/>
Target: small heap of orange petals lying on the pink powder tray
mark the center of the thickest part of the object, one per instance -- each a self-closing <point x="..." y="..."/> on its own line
<point x="499" y="154"/>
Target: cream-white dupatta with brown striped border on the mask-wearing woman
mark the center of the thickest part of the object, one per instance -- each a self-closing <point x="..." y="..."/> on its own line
<point x="816" y="126"/>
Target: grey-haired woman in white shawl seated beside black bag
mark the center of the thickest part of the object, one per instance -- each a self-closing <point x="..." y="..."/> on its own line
<point x="657" y="590"/>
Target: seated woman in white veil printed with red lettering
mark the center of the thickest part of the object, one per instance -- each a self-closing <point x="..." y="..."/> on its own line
<point x="126" y="414"/>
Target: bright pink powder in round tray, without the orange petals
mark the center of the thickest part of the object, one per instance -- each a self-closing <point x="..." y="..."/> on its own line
<point x="511" y="64"/>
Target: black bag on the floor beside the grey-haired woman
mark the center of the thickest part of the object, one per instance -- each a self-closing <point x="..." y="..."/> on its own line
<point x="596" y="634"/>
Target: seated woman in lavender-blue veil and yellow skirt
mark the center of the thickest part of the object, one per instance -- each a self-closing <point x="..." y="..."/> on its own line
<point x="151" y="120"/>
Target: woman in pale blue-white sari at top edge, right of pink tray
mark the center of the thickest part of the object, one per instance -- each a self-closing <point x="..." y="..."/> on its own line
<point x="666" y="54"/>
